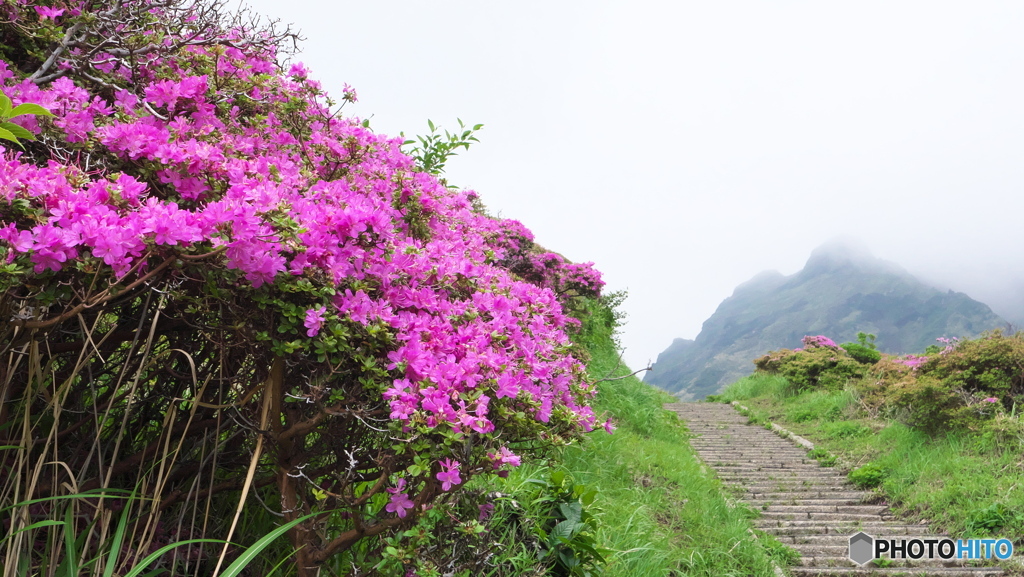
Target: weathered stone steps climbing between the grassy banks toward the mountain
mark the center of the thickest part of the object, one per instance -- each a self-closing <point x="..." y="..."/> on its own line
<point x="812" y="509"/>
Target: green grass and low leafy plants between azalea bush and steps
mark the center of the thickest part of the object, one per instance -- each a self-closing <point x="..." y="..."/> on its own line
<point x="656" y="510"/>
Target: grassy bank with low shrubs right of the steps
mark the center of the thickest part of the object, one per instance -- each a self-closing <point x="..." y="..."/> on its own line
<point x="940" y="436"/>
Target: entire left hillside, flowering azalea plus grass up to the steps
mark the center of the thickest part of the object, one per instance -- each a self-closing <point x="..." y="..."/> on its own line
<point x="244" y="335"/>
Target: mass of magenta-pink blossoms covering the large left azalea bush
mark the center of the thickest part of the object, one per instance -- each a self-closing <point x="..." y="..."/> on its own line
<point x="208" y="168"/>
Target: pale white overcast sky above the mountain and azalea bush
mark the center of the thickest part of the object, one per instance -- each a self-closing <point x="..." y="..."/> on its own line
<point x="685" y="147"/>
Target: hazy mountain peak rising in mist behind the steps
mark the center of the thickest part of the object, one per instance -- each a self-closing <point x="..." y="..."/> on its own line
<point x="842" y="291"/>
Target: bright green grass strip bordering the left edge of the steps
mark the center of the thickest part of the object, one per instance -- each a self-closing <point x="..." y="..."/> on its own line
<point x="661" y="512"/>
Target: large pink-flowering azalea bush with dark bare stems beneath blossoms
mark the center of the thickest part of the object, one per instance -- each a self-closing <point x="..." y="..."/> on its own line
<point x="215" y="285"/>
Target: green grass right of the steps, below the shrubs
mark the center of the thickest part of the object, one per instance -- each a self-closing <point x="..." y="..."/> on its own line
<point x="969" y="484"/>
